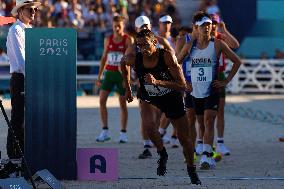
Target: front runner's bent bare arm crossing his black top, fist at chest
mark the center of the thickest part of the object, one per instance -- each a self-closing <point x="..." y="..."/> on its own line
<point x="176" y="72"/>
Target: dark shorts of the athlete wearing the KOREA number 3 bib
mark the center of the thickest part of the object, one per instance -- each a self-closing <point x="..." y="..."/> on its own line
<point x="208" y="103"/>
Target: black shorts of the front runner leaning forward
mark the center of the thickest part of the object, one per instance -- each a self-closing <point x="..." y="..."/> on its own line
<point x="171" y="104"/>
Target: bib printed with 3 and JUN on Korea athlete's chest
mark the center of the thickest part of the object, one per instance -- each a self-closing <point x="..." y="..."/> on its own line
<point x="201" y="74"/>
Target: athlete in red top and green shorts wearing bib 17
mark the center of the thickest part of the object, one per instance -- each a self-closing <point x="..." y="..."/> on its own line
<point x="114" y="49"/>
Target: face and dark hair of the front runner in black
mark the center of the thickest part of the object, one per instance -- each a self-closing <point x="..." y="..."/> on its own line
<point x="146" y="45"/>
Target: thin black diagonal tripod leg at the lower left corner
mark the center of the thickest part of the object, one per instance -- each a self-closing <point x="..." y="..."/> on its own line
<point x="24" y="161"/>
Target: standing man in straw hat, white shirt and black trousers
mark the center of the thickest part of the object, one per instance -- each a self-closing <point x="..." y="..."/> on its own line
<point x="24" y="11"/>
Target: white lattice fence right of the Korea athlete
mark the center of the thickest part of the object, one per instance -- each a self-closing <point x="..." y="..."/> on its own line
<point x="258" y="76"/>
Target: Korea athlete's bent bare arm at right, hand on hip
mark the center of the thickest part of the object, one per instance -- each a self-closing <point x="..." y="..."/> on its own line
<point x="221" y="46"/>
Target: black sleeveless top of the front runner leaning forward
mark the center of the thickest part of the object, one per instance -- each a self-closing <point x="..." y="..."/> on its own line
<point x="160" y="72"/>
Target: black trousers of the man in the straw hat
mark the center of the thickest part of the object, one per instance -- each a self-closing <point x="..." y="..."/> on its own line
<point x="17" y="83"/>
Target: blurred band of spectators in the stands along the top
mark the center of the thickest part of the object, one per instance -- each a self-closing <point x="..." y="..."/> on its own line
<point x="95" y="13"/>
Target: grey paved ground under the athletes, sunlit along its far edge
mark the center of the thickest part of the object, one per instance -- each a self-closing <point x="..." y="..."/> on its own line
<point x="256" y="162"/>
